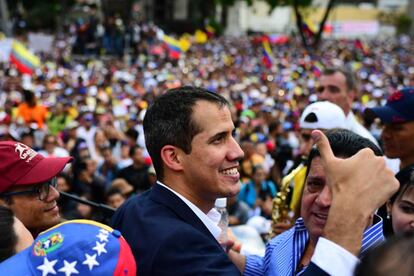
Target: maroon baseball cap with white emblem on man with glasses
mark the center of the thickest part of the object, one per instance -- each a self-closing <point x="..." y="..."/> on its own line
<point x="21" y="165"/>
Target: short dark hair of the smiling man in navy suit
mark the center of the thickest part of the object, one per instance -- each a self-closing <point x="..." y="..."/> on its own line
<point x="169" y="121"/>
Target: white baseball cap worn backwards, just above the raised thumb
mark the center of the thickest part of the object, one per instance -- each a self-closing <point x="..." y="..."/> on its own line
<point x="322" y="115"/>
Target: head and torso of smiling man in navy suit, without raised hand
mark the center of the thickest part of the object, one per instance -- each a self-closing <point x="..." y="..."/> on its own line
<point x="188" y="133"/>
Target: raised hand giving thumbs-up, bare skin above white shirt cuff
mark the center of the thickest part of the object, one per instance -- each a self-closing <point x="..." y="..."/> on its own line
<point x="359" y="184"/>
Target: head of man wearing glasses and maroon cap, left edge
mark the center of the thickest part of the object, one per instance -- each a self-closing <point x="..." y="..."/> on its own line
<point x="28" y="185"/>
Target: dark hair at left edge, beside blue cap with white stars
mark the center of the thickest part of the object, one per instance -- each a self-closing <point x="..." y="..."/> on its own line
<point x="8" y="237"/>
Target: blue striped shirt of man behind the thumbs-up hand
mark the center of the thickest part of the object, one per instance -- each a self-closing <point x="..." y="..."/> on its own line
<point x="284" y="252"/>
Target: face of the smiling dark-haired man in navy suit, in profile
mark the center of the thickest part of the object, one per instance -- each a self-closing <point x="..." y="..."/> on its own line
<point x="211" y="169"/>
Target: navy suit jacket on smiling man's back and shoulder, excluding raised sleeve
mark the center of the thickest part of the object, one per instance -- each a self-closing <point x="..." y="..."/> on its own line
<point x="174" y="240"/>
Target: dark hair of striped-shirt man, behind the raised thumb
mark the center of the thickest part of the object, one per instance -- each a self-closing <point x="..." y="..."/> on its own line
<point x="344" y="143"/>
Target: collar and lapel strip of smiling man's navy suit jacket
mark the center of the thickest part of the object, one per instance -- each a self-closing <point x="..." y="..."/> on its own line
<point x="164" y="196"/>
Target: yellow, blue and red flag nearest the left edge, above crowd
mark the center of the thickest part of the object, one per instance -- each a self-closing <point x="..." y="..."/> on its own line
<point x="25" y="61"/>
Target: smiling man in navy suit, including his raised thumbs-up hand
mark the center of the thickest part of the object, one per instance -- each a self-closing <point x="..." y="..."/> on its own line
<point x="188" y="133"/>
